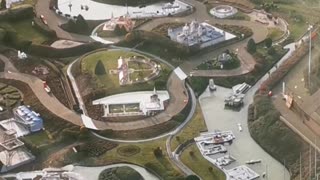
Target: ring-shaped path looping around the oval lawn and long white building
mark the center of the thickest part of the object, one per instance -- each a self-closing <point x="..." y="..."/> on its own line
<point x="175" y="87"/>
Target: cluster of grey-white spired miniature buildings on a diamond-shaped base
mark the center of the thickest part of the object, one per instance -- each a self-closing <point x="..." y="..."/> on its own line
<point x="198" y="34"/>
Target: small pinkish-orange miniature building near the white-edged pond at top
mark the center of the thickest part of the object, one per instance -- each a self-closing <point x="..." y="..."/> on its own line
<point x="123" y="22"/>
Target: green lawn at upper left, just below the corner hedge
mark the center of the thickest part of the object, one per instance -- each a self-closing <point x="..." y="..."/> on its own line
<point x="25" y="30"/>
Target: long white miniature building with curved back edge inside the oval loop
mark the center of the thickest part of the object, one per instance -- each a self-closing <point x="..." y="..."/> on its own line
<point x="134" y="103"/>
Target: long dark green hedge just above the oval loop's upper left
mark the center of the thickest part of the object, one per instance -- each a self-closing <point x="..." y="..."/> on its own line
<point x="51" y="52"/>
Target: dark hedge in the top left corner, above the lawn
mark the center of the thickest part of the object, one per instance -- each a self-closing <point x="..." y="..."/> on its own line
<point x="17" y="13"/>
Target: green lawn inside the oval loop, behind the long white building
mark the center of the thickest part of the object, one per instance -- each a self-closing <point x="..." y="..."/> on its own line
<point x="110" y="82"/>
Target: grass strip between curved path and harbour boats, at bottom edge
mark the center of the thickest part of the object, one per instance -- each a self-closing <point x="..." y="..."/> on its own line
<point x="201" y="166"/>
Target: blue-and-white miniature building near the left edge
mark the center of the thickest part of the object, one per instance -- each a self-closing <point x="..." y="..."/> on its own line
<point x="28" y="118"/>
